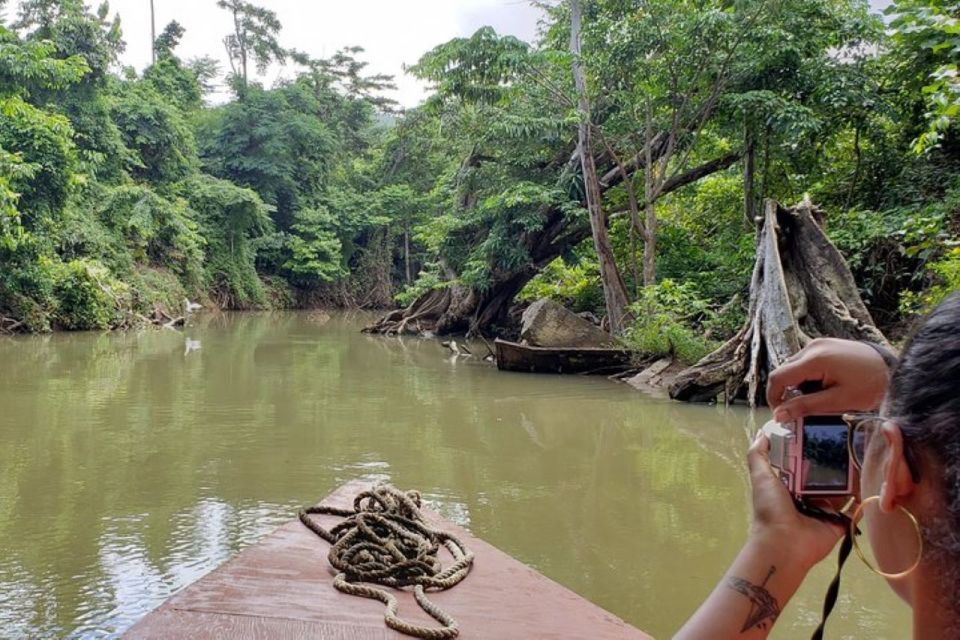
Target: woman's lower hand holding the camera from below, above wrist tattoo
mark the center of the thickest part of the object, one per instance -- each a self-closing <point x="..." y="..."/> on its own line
<point x="777" y="525"/>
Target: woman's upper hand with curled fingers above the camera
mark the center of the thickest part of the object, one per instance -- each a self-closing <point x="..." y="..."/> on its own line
<point x="852" y="376"/>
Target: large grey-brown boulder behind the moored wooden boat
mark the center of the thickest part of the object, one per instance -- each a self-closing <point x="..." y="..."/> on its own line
<point x="548" y="324"/>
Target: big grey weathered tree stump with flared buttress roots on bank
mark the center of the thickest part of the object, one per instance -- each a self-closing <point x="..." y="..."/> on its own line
<point x="801" y="289"/>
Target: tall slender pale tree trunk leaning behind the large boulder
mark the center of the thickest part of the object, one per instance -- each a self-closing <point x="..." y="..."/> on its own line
<point x="614" y="289"/>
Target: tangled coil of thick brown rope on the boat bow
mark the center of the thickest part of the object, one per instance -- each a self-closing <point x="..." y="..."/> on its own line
<point x="384" y="540"/>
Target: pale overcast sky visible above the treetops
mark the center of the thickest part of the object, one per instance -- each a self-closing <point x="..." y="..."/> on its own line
<point x="393" y="32"/>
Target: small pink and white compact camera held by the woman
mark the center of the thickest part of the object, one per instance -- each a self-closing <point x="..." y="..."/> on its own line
<point x="812" y="456"/>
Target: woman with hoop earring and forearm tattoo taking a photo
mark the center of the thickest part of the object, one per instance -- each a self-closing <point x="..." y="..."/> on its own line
<point x="909" y="484"/>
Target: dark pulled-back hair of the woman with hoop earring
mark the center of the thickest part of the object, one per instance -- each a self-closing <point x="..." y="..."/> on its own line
<point x="924" y="399"/>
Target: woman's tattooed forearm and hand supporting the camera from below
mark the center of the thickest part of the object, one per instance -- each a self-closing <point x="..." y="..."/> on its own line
<point x="782" y="547"/>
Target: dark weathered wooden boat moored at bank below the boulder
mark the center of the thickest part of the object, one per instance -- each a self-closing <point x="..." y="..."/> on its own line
<point x="512" y="356"/>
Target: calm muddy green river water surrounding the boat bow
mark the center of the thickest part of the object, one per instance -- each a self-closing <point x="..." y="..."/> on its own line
<point x="131" y="464"/>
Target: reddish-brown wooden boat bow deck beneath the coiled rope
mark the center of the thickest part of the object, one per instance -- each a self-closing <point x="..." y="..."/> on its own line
<point x="282" y="588"/>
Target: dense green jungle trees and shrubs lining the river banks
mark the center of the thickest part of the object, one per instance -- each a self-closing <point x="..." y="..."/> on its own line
<point x="122" y="192"/>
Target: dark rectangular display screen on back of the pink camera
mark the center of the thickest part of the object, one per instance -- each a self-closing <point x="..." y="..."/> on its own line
<point x="825" y="456"/>
